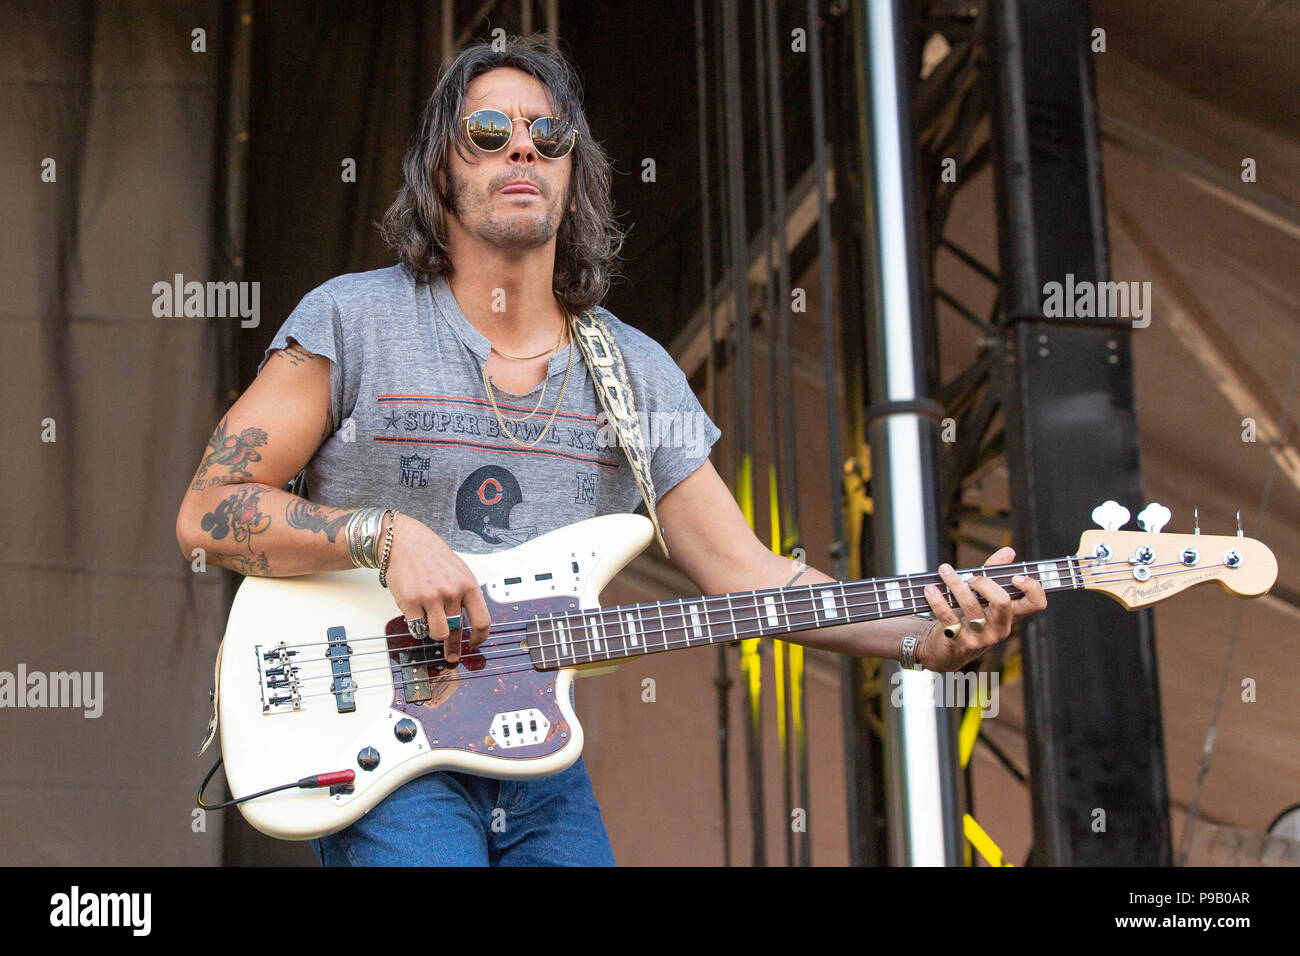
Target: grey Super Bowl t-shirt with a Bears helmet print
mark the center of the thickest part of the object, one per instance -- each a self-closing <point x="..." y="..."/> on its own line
<point x="415" y="430"/>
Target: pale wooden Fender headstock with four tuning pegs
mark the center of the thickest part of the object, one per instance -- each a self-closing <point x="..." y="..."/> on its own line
<point x="1142" y="568"/>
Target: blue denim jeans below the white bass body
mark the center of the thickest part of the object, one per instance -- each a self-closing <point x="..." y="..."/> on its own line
<point x="448" y="819"/>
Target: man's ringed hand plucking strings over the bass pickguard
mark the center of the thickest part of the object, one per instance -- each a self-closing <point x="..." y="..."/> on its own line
<point x="430" y="581"/>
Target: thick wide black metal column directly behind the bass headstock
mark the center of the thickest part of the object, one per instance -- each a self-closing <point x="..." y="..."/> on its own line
<point x="1095" y="739"/>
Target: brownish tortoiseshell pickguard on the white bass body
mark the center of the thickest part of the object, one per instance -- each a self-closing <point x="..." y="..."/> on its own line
<point x="456" y="704"/>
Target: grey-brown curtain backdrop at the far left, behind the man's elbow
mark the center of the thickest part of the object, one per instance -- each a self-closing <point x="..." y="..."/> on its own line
<point x="93" y="581"/>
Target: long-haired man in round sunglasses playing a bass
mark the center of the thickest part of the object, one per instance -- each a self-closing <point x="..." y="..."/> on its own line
<point x="440" y="403"/>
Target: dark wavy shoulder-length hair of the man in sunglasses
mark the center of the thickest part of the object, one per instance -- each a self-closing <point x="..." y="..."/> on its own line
<point x="590" y="239"/>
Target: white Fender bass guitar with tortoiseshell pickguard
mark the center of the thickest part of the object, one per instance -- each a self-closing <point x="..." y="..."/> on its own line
<point x="326" y="700"/>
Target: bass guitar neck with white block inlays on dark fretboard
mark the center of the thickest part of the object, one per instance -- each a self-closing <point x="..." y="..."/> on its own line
<point x="622" y="631"/>
